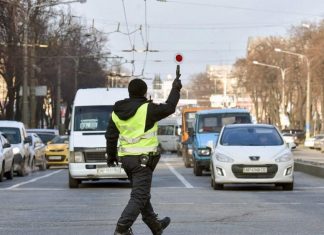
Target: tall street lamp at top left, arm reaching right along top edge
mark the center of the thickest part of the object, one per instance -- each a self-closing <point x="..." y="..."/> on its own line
<point x="25" y="54"/>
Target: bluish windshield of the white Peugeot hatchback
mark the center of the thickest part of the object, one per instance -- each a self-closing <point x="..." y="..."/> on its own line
<point x="250" y="136"/>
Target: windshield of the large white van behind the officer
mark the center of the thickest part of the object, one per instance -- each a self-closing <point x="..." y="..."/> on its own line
<point x="92" y="118"/>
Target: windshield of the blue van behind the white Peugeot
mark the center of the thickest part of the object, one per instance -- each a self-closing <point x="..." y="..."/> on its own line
<point x="214" y="122"/>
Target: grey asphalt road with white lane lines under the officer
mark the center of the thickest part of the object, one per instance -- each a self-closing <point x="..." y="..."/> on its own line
<point x="42" y="203"/>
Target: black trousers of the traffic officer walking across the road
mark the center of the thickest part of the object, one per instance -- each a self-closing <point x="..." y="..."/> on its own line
<point x="140" y="197"/>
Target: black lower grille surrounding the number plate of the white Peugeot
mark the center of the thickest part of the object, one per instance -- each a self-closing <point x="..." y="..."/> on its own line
<point x="238" y="171"/>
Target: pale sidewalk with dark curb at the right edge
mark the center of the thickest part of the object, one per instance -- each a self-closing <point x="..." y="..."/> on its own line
<point x="309" y="161"/>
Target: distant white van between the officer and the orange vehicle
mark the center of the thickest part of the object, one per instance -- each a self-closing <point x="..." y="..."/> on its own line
<point x="169" y="134"/>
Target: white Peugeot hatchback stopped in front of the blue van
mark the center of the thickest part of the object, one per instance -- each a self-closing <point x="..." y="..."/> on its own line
<point x="249" y="154"/>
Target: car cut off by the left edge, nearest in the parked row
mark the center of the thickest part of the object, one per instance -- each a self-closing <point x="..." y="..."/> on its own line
<point x="6" y="159"/>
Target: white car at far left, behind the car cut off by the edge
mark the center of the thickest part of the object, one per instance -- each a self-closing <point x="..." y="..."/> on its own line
<point x="17" y="136"/>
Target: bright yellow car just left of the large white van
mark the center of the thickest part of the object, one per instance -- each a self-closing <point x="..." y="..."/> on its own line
<point x="57" y="151"/>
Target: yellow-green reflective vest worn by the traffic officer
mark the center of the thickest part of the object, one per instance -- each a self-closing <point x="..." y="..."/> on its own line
<point x="132" y="138"/>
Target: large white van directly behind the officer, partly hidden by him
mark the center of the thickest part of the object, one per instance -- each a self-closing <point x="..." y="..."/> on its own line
<point x="91" y="112"/>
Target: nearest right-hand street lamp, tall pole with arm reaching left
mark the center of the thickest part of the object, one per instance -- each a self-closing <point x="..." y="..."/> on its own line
<point x="303" y="57"/>
